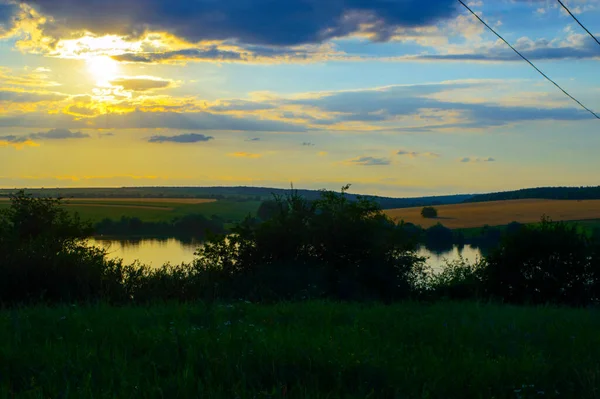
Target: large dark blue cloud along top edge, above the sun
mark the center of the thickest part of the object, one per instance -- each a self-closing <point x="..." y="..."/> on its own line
<point x="289" y="22"/>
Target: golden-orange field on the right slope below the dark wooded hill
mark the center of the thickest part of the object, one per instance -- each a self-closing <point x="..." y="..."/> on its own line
<point x="499" y="213"/>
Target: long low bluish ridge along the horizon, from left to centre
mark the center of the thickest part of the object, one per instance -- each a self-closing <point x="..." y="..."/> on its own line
<point x="240" y="193"/>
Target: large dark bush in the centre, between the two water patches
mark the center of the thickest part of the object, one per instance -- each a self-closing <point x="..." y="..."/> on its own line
<point x="350" y="248"/>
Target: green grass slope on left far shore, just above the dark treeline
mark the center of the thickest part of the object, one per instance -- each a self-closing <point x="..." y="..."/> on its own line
<point x="228" y="210"/>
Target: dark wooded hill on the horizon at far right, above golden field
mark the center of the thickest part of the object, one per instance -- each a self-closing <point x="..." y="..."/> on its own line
<point x="559" y="193"/>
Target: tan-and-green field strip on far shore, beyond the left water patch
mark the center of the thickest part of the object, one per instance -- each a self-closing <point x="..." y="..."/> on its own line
<point x="156" y="209"/>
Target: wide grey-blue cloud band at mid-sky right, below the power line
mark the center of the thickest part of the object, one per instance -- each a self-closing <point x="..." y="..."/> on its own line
<point x="379" y="106"/>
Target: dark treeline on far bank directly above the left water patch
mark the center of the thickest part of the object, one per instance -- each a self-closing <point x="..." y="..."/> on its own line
<point x="189" y="226"/>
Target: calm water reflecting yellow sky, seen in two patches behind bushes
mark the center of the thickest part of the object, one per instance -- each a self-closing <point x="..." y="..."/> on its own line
<point x="154" y="252"/>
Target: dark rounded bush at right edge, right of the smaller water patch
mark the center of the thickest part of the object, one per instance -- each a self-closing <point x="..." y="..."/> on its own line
<point x="547" y="263"/>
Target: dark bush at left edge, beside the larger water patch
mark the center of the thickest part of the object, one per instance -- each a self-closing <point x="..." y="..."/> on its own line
<point x="43" y="254"/>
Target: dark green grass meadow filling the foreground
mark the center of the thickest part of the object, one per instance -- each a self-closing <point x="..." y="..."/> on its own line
<point x="307" y="350"/>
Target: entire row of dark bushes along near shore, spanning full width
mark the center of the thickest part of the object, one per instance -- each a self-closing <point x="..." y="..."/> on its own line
<point x="332" y="248"/>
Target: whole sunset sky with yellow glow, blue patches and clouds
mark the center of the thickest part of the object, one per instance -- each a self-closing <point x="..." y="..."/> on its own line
<point x="396" y="97"/>
